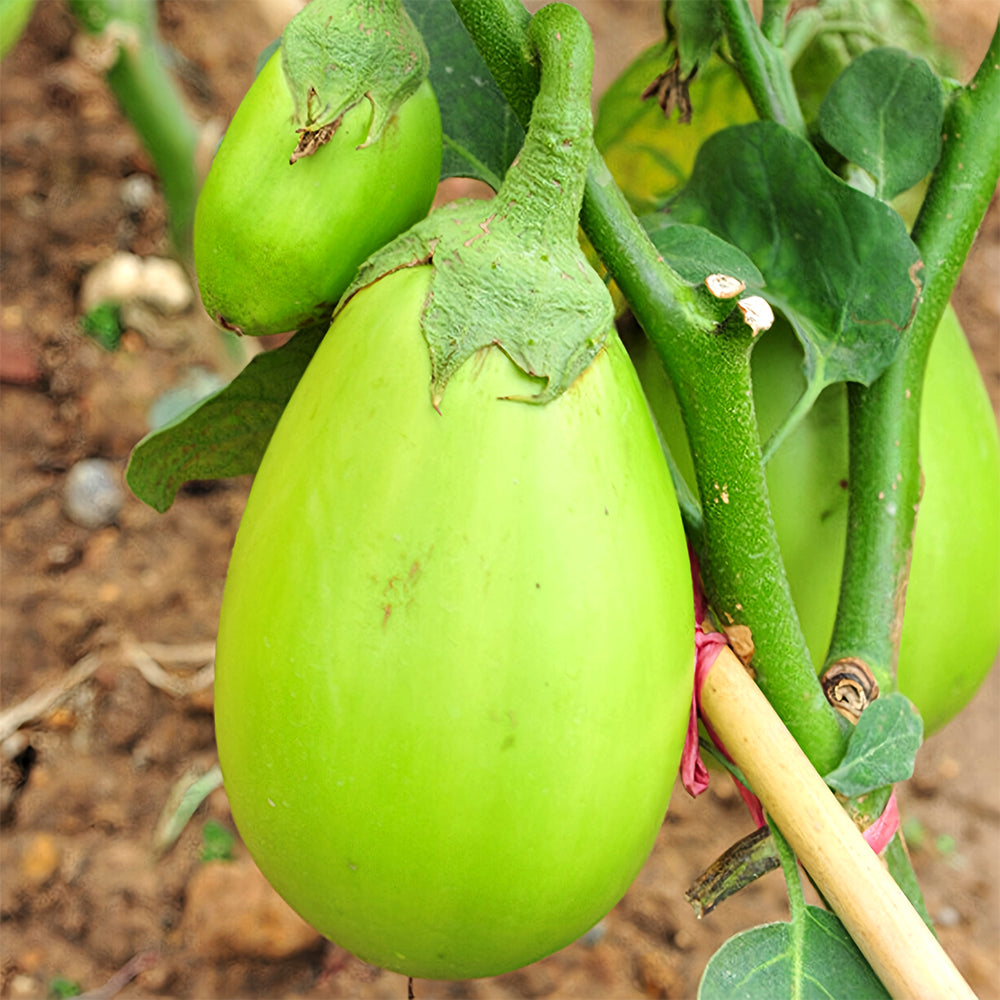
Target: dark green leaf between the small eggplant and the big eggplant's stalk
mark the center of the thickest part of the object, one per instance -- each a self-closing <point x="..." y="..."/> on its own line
<point x="481" y="134"/>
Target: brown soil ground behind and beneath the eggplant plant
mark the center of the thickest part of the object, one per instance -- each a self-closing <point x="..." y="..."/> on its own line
<point x="91" y="893"/>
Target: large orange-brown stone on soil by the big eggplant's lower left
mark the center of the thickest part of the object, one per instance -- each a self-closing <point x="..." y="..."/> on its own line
<point x="231" y="912"/>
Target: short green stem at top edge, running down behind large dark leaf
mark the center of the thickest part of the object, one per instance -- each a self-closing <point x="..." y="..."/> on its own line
<point x="761" y="65"/>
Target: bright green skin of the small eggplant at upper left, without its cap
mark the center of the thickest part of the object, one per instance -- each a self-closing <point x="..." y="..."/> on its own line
<point x="275" y="245"/>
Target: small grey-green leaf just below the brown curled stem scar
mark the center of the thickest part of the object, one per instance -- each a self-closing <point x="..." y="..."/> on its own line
<point x="882" y="748"/>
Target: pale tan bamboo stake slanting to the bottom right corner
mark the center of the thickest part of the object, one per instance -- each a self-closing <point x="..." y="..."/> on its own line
<point x="897" y="943"/>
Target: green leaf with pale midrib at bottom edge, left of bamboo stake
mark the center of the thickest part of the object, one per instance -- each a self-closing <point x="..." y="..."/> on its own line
<point x="817" y="960"/>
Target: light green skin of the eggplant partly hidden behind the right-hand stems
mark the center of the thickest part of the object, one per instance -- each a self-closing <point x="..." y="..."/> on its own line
<point x="951" y="625"/>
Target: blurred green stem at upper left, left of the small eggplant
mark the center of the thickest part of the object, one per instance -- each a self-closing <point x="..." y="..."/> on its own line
<point x="150" y="100"/>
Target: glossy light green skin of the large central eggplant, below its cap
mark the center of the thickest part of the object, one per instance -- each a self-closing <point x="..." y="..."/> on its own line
<point x="456" y="649"/>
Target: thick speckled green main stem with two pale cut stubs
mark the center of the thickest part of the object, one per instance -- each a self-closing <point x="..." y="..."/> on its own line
<point x="738" y="550"/>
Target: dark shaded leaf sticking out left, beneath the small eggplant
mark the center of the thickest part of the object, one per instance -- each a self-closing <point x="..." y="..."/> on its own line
<point x="226" y="433"/>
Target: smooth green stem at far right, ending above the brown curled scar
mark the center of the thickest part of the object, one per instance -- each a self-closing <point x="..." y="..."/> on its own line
<point x="885" y="417"/>
